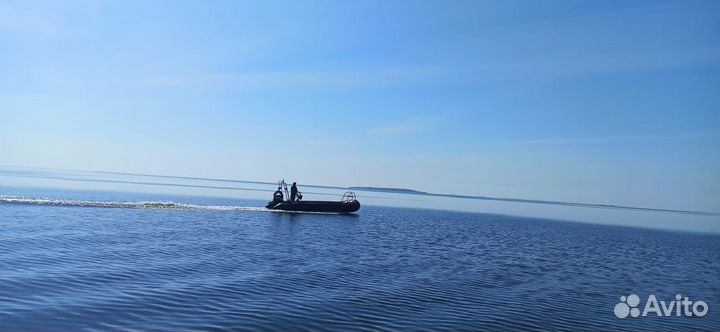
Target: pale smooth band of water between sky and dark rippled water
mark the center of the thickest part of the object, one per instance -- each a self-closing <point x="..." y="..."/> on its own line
<point x="43" y="184"/>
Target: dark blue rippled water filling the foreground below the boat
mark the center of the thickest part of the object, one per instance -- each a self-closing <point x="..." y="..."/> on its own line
<point x="84" y="268"/>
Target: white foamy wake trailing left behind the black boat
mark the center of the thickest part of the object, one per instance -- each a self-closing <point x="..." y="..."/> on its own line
<point x="25" y="200"/>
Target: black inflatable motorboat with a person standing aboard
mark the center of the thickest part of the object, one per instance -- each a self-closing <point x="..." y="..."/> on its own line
<point x="348" y="204"/>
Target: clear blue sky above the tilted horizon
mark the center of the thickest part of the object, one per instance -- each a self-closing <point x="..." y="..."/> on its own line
<point x="610" y="102"/>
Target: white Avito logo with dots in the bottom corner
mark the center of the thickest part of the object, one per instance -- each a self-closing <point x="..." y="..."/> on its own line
<point x="678" y="307"/>
